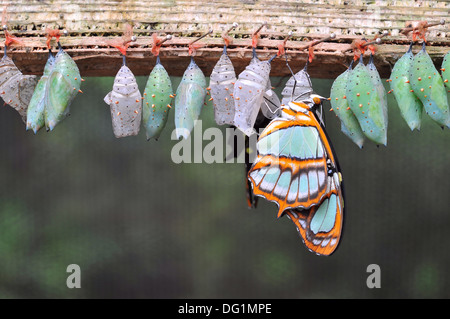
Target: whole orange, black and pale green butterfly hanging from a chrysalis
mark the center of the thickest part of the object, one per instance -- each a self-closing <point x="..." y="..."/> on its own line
<point x="296" y="168"/>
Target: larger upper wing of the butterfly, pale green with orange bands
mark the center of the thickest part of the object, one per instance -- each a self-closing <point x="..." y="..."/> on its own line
<point x="291" y="167"/>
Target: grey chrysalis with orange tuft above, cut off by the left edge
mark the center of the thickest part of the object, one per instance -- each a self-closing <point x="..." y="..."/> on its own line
<point x="16" y="89"/>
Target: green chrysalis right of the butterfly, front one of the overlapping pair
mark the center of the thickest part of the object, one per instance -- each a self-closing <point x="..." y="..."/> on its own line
<point x="365" y="101"/>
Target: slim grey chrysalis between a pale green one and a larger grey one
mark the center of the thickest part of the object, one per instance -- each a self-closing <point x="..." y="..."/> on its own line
<point x="222" y="81"/>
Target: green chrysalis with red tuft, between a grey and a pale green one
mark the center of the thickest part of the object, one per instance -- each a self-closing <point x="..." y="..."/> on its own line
<point x="158" y="95"/>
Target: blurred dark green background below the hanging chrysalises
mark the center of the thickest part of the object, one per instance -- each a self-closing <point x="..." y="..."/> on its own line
<point x="140" y="226"/>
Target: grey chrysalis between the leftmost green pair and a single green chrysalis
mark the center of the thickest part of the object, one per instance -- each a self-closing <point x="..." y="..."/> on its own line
<point x="126" y="103"/>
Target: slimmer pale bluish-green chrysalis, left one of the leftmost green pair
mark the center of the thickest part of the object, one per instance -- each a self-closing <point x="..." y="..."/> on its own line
<point x="36" y="108"/>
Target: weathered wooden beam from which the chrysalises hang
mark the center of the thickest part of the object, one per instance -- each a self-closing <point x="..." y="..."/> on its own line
<point x="91" y="22"/>
